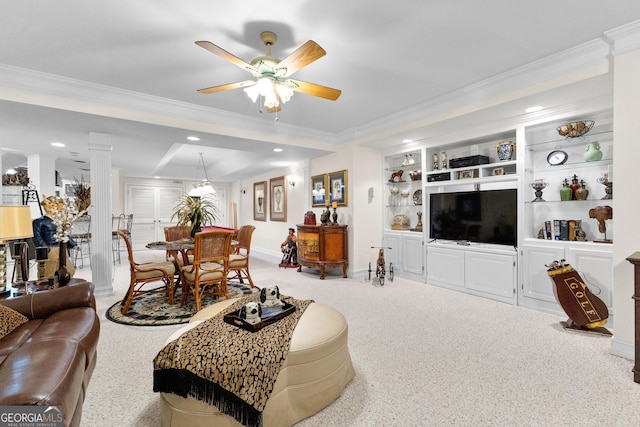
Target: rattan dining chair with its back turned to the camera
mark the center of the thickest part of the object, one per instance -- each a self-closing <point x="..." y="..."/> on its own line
<point x="208" y="272"/>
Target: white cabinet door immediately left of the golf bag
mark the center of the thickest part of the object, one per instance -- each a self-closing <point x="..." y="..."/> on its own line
<point x="536" y="284"/>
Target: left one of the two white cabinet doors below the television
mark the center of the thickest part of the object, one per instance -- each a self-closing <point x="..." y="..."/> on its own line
<point x="445" y="267"/>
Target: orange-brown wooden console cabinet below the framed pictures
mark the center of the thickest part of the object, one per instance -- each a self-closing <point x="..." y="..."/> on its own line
<point x="323" y="246"/>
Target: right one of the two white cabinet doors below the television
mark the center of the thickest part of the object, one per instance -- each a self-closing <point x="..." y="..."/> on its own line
<point x="494" y="274"/>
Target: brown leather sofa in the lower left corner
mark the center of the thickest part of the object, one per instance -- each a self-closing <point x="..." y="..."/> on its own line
<point x="49" y="359"/>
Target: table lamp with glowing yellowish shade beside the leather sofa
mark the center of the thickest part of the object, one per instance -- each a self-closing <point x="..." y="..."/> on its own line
<point x="15" y="223"/>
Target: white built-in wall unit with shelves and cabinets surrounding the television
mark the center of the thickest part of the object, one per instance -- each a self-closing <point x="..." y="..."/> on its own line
<point x="515" y="275"/>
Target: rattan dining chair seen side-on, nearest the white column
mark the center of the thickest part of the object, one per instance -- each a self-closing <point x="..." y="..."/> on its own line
<point x="141" y="274"/>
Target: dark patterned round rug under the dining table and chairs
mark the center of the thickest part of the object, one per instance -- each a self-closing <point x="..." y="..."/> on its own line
<point x="155" y="310"/>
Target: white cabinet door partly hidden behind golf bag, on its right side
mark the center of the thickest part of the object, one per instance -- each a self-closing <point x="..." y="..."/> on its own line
<point x="596" y="269"/>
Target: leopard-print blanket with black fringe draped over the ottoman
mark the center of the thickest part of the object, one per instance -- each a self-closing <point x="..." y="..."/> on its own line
<point x="227" y="366"/>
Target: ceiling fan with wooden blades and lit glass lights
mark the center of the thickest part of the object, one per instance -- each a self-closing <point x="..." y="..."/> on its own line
<point x="271" y="75"/>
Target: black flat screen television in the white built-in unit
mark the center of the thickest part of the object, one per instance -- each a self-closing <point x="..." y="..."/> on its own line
<point x="475" y="216"/>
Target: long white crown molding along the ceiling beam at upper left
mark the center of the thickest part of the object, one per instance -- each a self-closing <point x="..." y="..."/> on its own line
<point x="49" y="90"/>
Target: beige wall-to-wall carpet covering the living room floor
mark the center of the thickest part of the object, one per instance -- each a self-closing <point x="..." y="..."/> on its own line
<point x="424" y="356"/>
